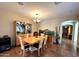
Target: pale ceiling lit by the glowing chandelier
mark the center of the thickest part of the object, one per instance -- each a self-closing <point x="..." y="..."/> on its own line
<point x="46" y="10"/>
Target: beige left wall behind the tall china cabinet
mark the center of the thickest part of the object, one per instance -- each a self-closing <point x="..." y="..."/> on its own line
<point x="7" y="25"/>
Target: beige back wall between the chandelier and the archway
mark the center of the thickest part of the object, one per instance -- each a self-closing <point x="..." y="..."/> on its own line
<point x="50" y="24"/>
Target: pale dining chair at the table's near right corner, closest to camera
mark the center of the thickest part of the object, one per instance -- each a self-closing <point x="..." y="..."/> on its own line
<point x="34" y="48"/>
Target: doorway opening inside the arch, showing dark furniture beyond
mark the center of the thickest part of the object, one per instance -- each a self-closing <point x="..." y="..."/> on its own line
<point x="67" y="36"/>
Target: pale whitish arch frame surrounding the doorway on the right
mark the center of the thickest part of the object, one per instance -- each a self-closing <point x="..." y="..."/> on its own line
<point x="74" y="38"/>
